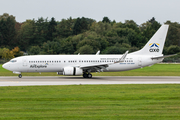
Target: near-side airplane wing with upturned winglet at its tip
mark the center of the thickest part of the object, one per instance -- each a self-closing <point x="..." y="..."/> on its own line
<point x="101" y="66"/>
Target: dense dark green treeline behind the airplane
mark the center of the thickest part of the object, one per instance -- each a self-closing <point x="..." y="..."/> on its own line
<point x="82" y="35"/>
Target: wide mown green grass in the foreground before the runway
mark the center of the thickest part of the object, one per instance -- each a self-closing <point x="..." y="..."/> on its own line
<point x="97" y="102"/>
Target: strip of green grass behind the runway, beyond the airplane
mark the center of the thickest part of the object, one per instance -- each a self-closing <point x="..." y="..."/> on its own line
<point x="155" y="70"/>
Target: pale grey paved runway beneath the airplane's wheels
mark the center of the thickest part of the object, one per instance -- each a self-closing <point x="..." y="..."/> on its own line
<point x="29" y="81"/>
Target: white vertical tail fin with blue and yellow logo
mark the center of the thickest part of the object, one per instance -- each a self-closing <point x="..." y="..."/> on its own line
<point x="156" y="44"/>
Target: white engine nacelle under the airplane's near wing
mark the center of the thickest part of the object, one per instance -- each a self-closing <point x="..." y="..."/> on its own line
<point x="72" y="71"/>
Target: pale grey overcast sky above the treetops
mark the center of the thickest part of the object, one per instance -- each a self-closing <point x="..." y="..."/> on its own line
<point x="119" y="10"/>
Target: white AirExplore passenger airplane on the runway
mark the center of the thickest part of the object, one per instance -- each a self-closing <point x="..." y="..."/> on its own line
<point x="69" y="65"/>
